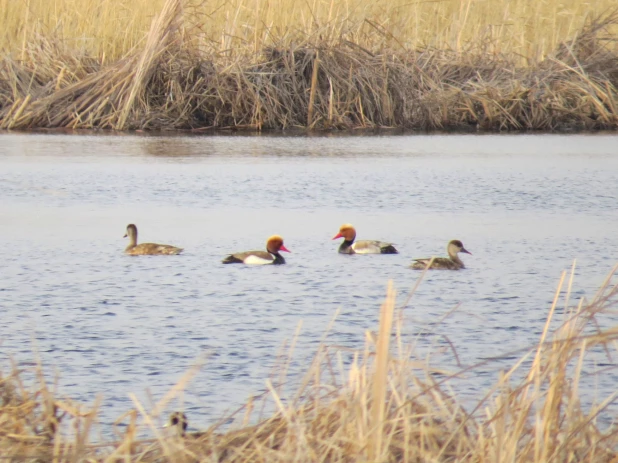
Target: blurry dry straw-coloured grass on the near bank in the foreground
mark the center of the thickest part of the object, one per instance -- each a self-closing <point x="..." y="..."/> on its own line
<point x="383" y="407"/>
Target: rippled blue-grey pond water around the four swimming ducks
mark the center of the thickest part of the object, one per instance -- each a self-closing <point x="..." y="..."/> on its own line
<point x="526" y="206"/>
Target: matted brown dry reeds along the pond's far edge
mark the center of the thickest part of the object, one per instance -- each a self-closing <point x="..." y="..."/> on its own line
<point x="172" y="83"/>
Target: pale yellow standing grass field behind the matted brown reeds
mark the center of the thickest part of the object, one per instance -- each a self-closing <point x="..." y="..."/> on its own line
<point x="109" y="28"/>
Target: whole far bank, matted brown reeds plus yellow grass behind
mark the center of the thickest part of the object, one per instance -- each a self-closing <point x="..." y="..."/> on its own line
<point x="172" y="64"/>
